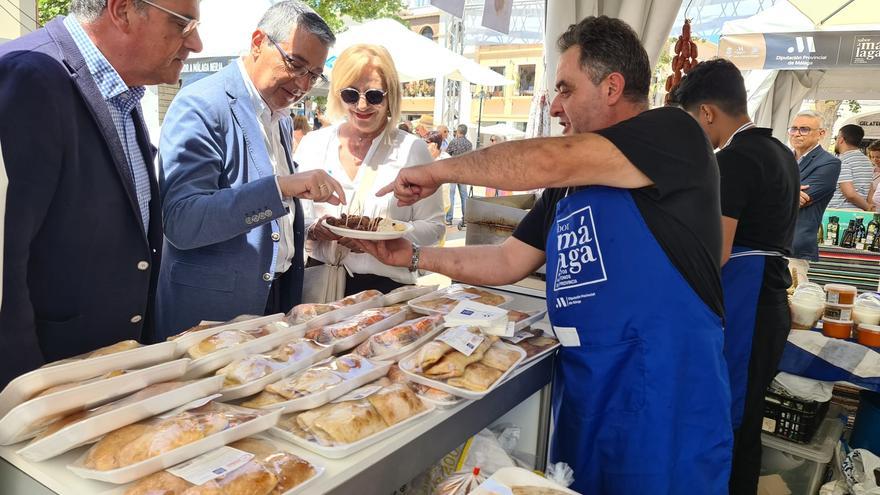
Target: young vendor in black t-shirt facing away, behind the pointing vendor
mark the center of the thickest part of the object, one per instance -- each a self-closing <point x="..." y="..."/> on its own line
<point x="760" y="188"/>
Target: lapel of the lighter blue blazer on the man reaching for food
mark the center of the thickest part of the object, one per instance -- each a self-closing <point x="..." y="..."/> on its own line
<point x="243" y="111"/>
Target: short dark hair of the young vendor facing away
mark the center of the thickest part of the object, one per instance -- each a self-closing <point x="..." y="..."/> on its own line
<point x="717" y="82"/>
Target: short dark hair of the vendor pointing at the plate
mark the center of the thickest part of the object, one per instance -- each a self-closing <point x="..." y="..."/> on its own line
<point x="609" y="45"/>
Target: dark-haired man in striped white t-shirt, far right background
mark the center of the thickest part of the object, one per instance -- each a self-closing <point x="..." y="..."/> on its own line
<point x="856" y="171"/>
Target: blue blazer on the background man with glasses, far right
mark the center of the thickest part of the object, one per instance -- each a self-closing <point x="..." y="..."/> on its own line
<point x="819" y="170"/>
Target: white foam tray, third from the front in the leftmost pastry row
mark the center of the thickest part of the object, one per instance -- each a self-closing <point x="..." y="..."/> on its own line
<point x="90" y="429"/>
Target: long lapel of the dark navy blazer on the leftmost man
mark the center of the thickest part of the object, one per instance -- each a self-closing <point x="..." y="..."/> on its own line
<point x="97" y="106"/>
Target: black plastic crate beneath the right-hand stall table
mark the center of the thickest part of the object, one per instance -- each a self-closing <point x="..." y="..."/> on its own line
<point x="791" y="418"/>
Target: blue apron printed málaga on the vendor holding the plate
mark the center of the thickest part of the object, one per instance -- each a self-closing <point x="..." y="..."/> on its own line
<point x="642" y="404"/>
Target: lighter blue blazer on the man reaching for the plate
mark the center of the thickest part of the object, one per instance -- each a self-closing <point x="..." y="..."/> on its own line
<point x="221" y="206"/>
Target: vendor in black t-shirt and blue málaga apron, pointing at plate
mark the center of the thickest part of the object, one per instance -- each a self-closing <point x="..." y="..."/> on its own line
<point x="630" y="231"/>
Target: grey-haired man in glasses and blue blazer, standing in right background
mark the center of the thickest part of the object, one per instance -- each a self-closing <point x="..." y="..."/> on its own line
<point x="819" y="171"/>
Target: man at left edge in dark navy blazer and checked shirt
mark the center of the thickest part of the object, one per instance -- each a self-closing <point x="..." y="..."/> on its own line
<point x="82" y="220"/>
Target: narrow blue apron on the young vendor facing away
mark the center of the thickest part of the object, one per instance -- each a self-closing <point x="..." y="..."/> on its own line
<point x="742" y="278"/>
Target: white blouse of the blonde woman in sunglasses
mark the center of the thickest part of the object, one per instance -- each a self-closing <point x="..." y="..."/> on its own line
<point x="390" y="152"/>
